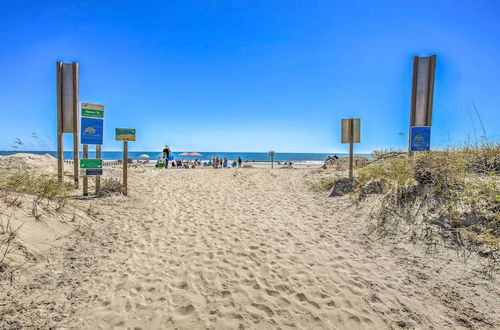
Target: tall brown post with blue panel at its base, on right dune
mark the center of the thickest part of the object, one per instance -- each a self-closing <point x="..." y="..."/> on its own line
<point x="422" y="94"/>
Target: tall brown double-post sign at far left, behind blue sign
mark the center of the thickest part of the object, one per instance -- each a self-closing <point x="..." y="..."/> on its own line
<point x="67" y="76"/>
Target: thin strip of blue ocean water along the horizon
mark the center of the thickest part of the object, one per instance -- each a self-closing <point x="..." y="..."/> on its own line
<point x="245" y="156"/>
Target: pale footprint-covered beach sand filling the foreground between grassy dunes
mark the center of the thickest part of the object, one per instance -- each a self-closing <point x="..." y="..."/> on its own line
<point x="237" y="249"/>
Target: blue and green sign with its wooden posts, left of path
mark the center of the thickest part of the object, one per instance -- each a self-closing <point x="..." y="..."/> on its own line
<point x="92" y="129"/>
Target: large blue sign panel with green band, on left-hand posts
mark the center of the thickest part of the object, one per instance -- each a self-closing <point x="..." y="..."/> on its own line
<point x="92" y="123"/>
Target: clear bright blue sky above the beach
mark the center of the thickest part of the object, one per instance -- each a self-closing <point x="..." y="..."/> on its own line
<point x="251" y="75"/>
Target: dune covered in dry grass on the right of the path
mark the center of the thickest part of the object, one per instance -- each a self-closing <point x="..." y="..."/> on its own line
<point x="450" y="196"/>
